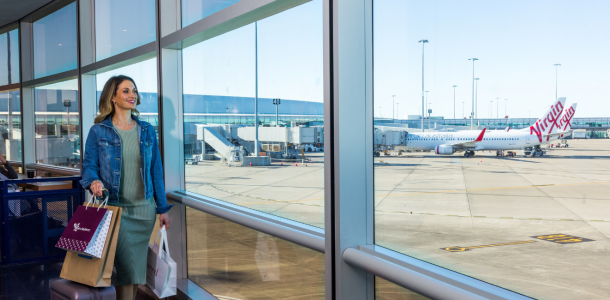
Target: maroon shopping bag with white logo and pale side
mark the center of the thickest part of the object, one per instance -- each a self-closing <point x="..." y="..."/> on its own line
<point x="87" y="230"/>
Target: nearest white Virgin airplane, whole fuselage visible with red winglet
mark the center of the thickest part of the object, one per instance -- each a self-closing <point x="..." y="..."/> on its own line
<point x="469" y="141"/>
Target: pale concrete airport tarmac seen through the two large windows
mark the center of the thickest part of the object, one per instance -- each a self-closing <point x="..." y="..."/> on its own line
<point x="538" y="226"/>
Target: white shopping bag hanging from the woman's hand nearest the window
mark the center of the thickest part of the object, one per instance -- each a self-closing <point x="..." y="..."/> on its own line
<point x="161" y="269"/>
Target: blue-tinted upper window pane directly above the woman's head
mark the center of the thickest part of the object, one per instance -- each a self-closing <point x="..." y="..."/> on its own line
<point x="123" y="25"/>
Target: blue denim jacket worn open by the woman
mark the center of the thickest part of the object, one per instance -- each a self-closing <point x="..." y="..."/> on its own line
<point x="102" y="162"/>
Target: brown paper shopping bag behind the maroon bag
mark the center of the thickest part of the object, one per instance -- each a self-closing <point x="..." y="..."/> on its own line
<point x="95" y="272"/>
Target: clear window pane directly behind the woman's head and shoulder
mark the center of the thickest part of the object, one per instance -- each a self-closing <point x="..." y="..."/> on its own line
<point x="145" y="76"/>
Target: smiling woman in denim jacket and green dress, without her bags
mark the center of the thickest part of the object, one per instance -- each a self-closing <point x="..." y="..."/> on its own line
<point x="122" y="156"/>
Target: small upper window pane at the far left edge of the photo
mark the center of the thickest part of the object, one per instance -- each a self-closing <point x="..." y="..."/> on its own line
<point x="9" y="57"/>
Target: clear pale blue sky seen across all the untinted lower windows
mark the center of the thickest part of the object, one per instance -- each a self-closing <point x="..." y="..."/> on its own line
<point x="517" y="44"/>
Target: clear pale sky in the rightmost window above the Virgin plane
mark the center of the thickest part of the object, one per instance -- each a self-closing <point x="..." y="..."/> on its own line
<point x="517" y="44"/>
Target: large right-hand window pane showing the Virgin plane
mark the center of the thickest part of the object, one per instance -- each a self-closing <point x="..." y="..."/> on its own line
<point x="529" y="223"/>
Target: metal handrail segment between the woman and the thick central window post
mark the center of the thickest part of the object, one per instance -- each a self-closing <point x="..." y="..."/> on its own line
<point x="277" y="229"/>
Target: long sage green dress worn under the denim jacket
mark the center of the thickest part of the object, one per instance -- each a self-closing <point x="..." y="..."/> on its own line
<point x="138" y="217"/>
